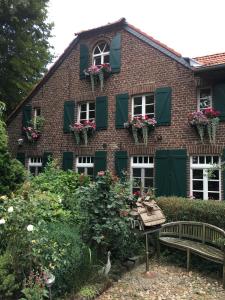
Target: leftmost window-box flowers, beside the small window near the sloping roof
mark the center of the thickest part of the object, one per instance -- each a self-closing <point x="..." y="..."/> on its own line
<point x="33" y="131"/>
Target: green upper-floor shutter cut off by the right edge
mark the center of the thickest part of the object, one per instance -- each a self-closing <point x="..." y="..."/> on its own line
<point x="219" y="99"/>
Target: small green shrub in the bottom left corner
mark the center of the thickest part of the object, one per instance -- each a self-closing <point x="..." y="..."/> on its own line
<point x="8" y="282"/>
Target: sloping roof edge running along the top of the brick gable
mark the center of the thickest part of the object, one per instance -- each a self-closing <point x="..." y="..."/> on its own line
<point x="121" y="22"/>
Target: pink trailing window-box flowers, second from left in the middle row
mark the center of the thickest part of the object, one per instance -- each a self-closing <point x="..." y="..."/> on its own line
<point x="82" y="131"/>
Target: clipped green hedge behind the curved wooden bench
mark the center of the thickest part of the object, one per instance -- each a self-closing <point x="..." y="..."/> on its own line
<point x="182" y="209"/>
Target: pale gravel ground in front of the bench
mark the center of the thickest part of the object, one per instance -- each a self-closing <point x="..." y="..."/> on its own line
<point x="167" y="283"/>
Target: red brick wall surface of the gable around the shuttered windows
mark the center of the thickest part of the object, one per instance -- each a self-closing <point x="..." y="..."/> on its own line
<point x="143" y="69"/>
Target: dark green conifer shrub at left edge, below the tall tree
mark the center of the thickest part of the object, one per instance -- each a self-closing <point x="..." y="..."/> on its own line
<point x="12" y="173"/>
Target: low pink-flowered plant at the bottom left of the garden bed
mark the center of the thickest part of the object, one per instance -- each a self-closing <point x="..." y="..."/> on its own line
<point x="34" y="287"/>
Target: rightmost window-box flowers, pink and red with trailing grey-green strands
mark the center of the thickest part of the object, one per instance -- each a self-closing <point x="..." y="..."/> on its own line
<point x="205" y="120"/>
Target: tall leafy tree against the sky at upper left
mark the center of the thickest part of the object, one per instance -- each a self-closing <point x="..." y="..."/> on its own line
<point x="24" y="47"/>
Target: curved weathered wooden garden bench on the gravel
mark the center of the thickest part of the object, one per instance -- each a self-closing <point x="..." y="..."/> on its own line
<point x="202" y="239"/>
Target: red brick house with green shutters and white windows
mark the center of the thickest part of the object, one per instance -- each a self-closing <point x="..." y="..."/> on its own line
<point x="147" y="78"/>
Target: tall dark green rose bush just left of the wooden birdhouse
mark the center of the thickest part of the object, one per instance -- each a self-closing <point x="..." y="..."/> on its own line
<point x="106" y="225"/>
